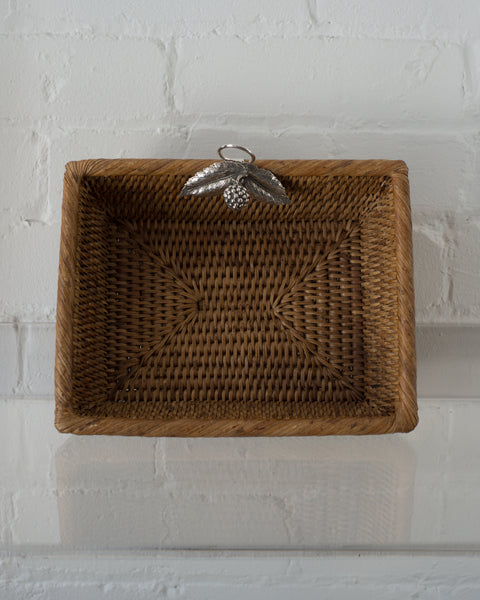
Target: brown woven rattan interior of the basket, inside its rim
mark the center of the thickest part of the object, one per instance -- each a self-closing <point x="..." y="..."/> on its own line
<point x="188" y="309"/>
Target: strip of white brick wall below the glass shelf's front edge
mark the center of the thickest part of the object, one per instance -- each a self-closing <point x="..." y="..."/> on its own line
<point x="351" y="577"/>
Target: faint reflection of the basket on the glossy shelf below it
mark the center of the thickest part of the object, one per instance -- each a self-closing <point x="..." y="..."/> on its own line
<point x="302" y="493"/>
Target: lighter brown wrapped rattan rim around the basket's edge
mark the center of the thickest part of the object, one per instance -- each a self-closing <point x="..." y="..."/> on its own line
<point x="405" y="416"/>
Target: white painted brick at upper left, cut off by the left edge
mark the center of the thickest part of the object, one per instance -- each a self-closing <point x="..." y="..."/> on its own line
<point x="74" y="81"/>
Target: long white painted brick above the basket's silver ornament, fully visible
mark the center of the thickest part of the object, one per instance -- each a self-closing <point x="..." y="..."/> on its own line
<point x="332" y="79"/>
